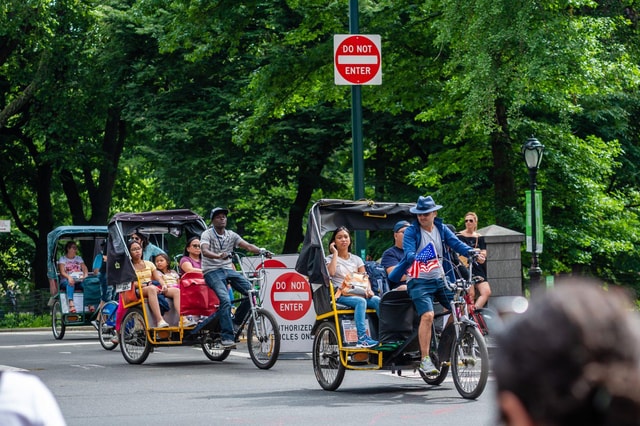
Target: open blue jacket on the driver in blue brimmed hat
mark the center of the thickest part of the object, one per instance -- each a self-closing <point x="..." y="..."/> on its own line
<point x="411" y="242"/>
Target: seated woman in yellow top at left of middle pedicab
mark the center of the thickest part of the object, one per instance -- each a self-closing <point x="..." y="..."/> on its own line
<point x="147" y="272"/>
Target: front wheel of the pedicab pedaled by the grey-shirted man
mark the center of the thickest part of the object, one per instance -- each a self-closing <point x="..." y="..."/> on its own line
<point x="263" y="339"/>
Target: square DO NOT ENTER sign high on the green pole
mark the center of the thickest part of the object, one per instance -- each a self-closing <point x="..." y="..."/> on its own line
<point x="357" y="59"/>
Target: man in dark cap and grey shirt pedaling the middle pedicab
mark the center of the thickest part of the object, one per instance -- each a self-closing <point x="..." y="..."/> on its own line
<point x="216" y="244"/>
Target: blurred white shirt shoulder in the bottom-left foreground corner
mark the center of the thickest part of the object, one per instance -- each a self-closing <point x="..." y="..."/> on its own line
<point x="26" y="401"/>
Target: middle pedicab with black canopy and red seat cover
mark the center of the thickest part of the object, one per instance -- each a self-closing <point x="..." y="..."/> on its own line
<point x="138" y="334"/>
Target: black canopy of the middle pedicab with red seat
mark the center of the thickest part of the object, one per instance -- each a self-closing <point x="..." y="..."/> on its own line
<point x="182" y="222"/>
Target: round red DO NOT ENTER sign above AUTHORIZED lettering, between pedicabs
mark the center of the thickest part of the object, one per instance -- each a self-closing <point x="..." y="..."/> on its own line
<point x="291" y="296"/>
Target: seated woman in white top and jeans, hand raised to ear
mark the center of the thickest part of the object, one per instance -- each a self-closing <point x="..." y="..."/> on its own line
<point x="341" y="265"/>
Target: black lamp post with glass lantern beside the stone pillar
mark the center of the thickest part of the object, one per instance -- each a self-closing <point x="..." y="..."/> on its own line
<point x="532" y="151"/>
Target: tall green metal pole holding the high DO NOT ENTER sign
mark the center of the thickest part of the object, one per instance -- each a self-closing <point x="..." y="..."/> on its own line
<point x="356" y="131"/>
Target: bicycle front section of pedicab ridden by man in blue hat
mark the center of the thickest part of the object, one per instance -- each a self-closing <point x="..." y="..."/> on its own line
<point x="461" y="345"/>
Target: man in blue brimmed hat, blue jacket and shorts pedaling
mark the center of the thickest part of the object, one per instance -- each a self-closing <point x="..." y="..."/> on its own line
<point x="427" y="264"/>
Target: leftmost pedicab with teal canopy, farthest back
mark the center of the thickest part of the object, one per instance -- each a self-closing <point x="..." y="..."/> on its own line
<point x="86" y="296"/>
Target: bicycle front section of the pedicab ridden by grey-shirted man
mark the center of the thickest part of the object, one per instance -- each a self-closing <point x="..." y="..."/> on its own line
<point x="263" y="333"/>
